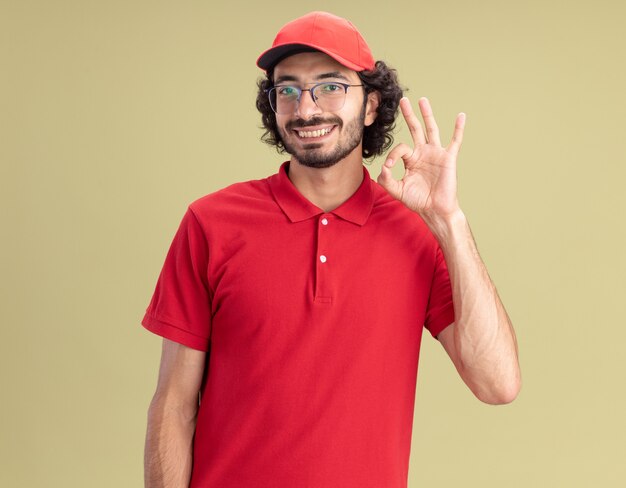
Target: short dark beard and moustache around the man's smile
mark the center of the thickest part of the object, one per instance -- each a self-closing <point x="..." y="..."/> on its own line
<point x="310" y="156"/>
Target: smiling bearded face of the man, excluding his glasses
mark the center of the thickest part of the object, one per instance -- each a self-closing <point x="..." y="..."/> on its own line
<point x="313" y="137"/>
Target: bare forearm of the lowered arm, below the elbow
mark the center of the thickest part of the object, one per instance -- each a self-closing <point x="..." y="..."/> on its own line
<point x="169" y="446"/>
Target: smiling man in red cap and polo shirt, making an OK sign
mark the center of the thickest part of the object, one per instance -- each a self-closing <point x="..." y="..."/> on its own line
<point x="294" y="305"/>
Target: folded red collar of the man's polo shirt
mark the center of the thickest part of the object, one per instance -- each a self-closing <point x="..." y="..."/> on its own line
<point x="297" y="208"/>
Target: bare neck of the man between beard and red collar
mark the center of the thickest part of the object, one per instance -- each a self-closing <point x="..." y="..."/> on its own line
<point x="327" y="188"/>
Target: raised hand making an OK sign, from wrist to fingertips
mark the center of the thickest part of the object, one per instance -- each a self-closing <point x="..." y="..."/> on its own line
<point x="429" y="182"/>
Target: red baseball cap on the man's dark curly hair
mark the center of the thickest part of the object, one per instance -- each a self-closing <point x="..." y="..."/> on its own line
<point x="320" y="31"/>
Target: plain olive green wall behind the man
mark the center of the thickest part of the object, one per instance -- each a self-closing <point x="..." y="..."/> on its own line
<point x="115" y="115"/>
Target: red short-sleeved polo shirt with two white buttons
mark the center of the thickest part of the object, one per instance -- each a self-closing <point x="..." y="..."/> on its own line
<point x="313" y="322"/>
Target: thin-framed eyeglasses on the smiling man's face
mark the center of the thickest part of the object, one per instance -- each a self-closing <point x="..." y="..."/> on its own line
<point x="329" y="96"/>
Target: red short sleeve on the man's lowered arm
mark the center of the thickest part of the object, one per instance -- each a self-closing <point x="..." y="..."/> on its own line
<point x="180" y="308"/>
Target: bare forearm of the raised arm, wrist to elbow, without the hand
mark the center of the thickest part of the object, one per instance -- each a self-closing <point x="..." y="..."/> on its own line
<point x="484" y="340"/>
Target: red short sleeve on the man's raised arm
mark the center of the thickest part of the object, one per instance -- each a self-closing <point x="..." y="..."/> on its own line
<point x="440" y="311"/>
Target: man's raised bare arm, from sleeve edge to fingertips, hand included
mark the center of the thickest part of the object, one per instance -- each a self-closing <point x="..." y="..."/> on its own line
<point x="481" y="342"/>
